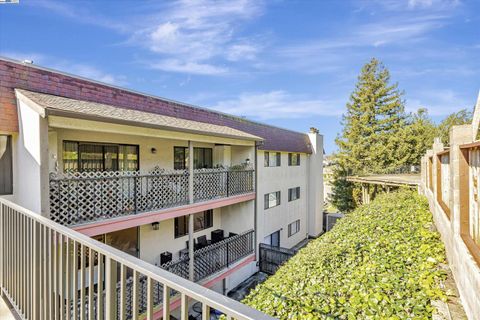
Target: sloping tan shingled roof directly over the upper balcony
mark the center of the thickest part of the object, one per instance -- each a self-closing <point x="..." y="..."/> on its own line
<point x="92" y="110"/>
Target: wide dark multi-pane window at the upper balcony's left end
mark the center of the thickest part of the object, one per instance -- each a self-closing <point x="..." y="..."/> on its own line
<point x="84" y="156"/>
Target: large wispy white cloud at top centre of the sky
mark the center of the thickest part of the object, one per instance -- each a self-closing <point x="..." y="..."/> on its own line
<point x="191" y="36"/>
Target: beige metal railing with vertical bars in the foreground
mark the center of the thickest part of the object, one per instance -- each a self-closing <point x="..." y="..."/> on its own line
<point x="46" y="269"/>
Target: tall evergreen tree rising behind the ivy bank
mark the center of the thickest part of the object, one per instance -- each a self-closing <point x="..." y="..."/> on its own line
<point x="370" y="138"/>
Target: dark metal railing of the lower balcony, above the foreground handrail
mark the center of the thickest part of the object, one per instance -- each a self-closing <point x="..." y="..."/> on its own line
<point x="215" y="257"/>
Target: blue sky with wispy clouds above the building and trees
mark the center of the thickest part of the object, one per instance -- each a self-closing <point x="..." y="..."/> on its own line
<point x="289" y="63"/>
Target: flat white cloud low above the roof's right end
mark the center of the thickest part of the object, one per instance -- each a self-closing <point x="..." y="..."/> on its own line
<point x="279" y="104"/>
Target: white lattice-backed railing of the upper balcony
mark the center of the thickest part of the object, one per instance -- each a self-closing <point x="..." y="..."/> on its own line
<point x="84" y="197"/>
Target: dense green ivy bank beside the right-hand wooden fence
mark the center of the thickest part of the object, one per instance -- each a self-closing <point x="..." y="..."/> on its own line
<point x="379" y="262"/>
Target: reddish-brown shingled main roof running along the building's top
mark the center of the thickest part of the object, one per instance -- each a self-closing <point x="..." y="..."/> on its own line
<point x="14" y="74"/>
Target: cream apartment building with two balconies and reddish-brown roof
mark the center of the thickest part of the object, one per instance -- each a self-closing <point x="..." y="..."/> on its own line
<point x="116" y="165"/>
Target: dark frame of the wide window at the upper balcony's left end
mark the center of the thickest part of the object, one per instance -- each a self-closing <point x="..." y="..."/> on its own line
<point x="103" y="145"/>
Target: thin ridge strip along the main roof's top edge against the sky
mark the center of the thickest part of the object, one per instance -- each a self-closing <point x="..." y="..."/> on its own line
<point x="183" y="104"/>
